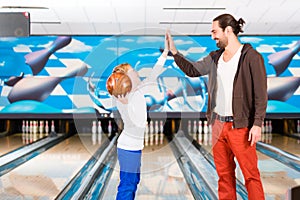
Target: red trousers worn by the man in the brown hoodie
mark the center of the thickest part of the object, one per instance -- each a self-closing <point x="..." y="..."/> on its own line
<point x="229" y="143"/>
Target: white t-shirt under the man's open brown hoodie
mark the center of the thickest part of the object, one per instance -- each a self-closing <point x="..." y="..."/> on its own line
<point x="225" y="77"/>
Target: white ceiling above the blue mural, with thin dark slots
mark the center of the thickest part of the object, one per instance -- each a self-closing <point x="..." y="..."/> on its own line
<point x="153" y="17"/>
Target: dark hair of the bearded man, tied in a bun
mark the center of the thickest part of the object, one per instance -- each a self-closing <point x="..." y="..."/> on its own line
<point x="228" y="20"/>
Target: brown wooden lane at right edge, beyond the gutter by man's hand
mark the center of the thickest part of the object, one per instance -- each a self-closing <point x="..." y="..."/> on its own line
<point x="285" y="143"/>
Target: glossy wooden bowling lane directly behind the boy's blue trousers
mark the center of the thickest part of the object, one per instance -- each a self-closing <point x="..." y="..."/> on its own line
<point x="161" y="177"/>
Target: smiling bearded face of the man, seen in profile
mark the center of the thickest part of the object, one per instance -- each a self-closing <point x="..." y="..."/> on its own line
<point x="218" y="35"/>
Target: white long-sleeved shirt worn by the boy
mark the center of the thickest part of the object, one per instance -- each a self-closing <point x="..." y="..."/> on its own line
<point x="134" y="114"/>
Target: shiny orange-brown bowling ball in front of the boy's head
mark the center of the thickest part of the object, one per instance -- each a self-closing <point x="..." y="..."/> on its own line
<point x="118" y="83"/>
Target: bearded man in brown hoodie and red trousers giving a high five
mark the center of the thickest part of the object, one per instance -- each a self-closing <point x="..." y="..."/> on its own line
<point x="237" y="102"/>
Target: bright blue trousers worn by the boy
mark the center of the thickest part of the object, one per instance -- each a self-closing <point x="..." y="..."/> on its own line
<point x="130" y="164"/>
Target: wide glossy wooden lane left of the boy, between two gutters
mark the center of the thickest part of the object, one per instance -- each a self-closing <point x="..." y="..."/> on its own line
<point x="44" y="176"/>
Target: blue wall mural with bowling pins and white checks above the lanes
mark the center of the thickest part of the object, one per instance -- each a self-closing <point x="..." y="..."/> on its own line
<point x="67" y="74"/>
